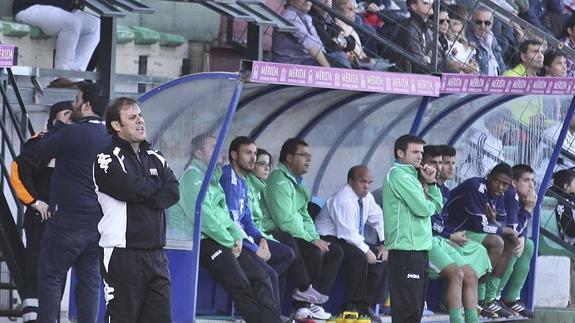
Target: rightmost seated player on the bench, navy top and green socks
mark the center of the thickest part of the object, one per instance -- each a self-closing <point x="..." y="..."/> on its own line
<point x="520" y="201"/>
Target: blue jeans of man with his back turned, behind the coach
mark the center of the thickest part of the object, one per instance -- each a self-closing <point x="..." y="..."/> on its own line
<point x="61" y="249"/>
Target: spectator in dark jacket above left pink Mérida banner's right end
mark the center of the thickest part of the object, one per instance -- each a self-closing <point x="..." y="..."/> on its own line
<point x="416" y="36"/>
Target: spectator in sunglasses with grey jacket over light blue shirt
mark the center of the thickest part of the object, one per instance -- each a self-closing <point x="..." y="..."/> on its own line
<point x="488" y="52"/>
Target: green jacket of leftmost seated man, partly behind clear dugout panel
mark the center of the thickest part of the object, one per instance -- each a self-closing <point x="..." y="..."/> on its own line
<point x="216" y="221"/>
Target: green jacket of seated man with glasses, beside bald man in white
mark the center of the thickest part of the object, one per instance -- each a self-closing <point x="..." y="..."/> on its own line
<point x="286" y="205"/>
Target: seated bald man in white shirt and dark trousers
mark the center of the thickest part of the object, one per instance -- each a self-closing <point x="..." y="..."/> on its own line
<point x="342" y="222"/>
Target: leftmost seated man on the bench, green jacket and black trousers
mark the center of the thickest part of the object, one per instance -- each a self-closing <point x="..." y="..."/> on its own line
<point x="221" y="251"/>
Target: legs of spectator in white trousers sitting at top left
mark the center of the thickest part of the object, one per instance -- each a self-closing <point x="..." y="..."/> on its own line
<point x="77" y="32"/>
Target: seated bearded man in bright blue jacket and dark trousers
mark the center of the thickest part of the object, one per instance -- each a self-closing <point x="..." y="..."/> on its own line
<point x="274" y="257"/>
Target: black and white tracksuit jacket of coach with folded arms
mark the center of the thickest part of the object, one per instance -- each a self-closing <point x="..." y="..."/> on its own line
<point x="133" y="192"/>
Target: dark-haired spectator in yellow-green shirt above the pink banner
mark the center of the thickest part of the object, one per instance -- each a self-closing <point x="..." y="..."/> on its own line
<point x="530" y="60"/>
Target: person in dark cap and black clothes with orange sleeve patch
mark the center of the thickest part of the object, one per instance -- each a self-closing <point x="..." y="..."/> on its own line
<point x="30" y="178"/>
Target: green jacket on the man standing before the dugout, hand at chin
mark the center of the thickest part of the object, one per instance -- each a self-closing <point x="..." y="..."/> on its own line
<point x="407" y="211"/>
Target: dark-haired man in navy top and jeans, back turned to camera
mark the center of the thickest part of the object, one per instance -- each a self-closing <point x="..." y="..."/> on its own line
<point x="71" y="236"/>
